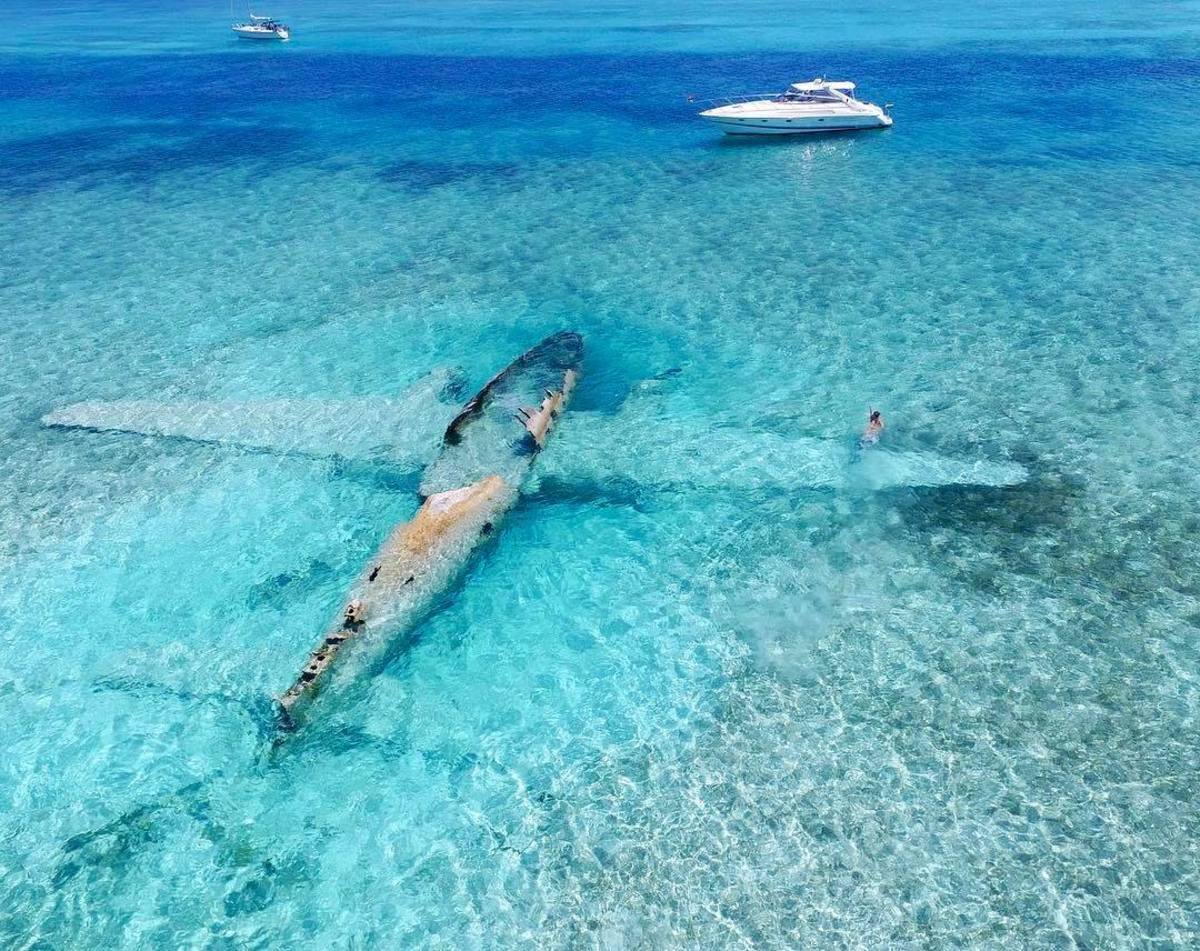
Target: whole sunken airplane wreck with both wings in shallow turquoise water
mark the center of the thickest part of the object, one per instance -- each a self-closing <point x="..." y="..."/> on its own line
<point x="482" y="453"/>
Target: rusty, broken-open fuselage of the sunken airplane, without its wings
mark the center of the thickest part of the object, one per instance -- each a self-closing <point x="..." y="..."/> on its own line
<point x="469" y="489"/>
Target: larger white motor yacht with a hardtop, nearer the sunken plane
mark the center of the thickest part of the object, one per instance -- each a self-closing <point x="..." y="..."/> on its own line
<point x="819" y="106"/>
